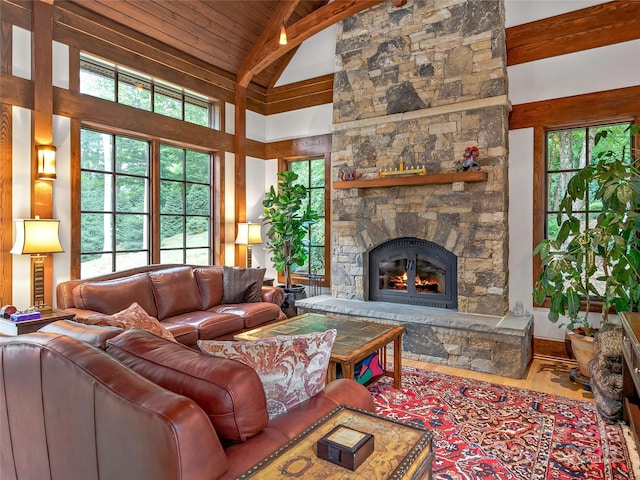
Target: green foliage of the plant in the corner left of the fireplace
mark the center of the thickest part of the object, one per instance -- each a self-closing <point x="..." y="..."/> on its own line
<point x="288" y="219"/>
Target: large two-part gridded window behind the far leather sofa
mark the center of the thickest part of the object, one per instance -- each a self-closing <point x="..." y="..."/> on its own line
<point x="117" y="203"/>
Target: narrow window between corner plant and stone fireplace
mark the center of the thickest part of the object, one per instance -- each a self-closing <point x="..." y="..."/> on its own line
<point x="312" y="174"/>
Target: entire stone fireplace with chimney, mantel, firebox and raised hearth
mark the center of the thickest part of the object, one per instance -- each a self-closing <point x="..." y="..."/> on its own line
<point x="414" y="87"/>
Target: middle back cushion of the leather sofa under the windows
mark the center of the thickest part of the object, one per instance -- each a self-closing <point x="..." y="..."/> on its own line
<point x="175" y="291"/>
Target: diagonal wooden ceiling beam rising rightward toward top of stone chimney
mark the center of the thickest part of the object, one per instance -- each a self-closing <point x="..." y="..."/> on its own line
<point x="268" y="51"/>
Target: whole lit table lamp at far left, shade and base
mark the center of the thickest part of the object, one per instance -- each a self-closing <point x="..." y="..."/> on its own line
<point x="37" y="238"/>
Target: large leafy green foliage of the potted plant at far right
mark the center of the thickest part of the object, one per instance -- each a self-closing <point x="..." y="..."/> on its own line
<point x="600" y="261"/>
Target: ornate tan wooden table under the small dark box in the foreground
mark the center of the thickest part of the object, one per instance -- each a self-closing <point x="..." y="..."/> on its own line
<point x="401" y="451"/>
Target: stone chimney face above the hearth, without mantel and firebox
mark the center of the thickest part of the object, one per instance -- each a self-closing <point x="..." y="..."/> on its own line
<point x="418" y="85"/>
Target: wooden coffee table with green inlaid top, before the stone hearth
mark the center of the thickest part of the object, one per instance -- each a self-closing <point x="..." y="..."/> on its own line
<point x="356" y="340"/>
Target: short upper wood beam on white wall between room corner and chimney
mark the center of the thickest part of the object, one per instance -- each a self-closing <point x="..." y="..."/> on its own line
<point x="294" y="96"/>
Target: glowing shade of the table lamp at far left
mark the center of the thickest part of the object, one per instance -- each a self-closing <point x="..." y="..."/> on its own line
<point x="36" y="236"/>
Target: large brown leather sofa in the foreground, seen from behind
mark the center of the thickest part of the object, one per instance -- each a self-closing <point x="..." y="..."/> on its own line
<point x="145" y="408"/>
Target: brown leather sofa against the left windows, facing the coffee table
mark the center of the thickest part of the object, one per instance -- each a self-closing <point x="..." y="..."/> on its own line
<point x="187" y="300"/>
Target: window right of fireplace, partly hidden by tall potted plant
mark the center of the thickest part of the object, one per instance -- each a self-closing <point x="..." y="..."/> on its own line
<point x="569" y="150"/>
